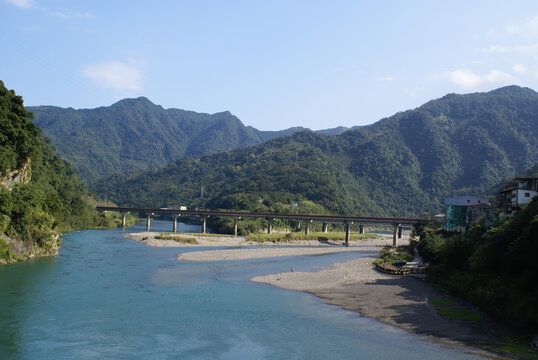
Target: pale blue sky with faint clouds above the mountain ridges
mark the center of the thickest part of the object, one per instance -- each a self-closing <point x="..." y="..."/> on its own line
<point x="274" y="64"/>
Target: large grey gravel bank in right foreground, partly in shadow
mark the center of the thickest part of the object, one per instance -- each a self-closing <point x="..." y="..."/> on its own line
<point x="396" y="300"/>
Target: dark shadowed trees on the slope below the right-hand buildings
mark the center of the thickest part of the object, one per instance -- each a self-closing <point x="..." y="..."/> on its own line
<point x="494" y="269"/>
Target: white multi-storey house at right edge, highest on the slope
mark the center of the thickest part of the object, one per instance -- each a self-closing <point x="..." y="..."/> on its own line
<point x="516" y="194"/>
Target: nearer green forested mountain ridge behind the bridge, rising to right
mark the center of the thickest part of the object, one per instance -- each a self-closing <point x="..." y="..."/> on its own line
<point x="403" y="165"/>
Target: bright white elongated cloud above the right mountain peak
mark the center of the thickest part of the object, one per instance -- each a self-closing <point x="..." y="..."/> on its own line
<point x="469" y="80"/>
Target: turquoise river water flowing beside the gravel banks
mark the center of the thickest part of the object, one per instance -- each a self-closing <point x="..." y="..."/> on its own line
<point x="107" y="297"/>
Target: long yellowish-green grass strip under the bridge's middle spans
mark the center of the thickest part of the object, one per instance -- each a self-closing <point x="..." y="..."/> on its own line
<point x="319" y="236"/>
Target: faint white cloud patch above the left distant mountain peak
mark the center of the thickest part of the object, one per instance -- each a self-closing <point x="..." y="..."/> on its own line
<point x="116" y="75"/>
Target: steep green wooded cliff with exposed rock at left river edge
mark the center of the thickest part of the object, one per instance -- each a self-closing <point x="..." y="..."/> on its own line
<point x="40" y="196"/>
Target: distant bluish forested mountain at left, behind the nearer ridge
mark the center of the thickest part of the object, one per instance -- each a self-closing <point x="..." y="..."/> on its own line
<point x="135" y="134"/>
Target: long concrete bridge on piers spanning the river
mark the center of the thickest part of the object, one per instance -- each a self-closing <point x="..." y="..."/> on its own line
<point x="396" y="223"/>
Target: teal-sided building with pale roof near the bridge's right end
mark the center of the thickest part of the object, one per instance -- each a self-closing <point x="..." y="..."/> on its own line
<point x="464" y="211"/>
